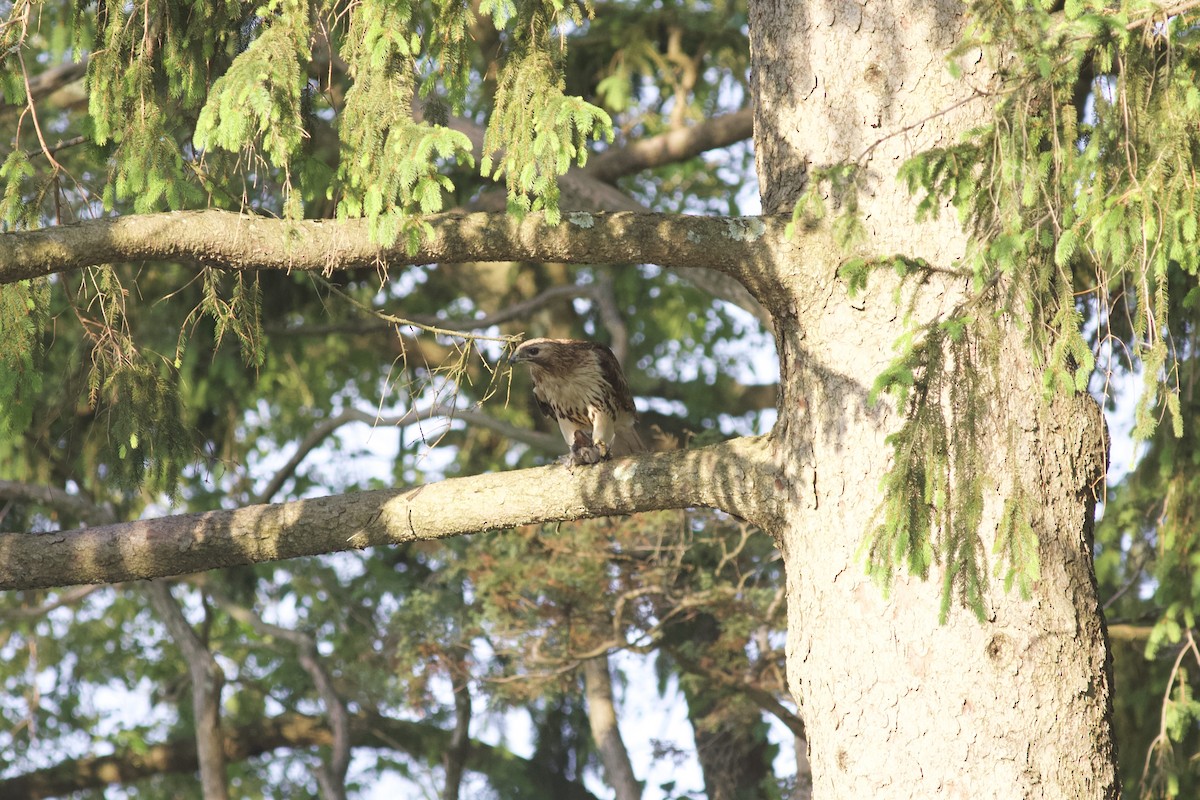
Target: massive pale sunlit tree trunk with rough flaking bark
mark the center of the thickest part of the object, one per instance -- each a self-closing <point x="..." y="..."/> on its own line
<point x="896" y="705"/>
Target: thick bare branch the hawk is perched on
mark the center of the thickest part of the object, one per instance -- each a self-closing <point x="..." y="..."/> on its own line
<point x="734" y="476"/>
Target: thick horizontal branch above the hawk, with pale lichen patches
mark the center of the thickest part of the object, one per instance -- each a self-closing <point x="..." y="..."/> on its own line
<point x="740" y="246"/>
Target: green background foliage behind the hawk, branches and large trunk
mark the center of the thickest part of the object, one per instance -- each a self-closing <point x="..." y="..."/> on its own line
<point x="128" y="392"/>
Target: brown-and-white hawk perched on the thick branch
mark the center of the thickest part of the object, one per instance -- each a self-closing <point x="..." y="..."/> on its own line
<point x="580" y="384"/>
